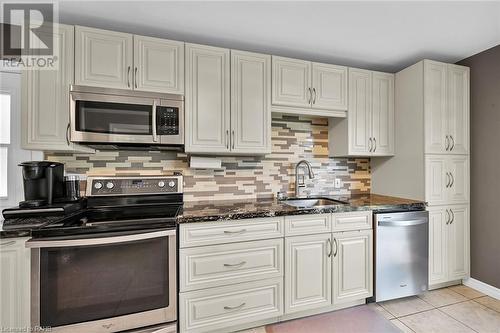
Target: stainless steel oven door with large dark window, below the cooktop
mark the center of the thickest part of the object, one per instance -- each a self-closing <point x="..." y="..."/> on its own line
<point x="106" y="283"/>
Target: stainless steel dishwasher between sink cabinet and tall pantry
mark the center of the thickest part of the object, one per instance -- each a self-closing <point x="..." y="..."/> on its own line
<point x="401" y="254"/>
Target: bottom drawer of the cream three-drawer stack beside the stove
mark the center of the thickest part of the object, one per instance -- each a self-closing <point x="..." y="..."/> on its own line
<point x="216" y="309"/>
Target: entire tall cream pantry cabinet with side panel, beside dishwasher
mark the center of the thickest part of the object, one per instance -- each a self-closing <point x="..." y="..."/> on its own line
<point x="431" y="161"/>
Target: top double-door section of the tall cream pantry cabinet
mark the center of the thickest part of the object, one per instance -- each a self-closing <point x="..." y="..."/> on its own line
<point x="446" y="104"/>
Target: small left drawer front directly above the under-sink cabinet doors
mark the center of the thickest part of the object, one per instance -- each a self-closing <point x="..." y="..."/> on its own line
<point x="307" y="224"/>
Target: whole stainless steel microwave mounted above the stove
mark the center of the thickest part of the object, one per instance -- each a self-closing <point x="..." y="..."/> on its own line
<point x="110" y="118"/>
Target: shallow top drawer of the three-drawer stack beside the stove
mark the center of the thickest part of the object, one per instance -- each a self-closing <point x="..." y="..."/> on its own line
<point x="209" y="233"/>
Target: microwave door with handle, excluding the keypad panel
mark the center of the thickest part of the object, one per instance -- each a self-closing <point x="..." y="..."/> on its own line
<point x="102" y="118"/>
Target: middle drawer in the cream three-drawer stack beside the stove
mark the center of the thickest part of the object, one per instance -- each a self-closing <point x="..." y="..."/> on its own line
<point x="220" y="265"/>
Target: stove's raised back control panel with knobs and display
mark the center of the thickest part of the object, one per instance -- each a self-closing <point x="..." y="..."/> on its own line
<point x="102" y="186"/>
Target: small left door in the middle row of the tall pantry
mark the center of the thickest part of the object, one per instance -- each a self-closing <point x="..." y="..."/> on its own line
<point x="437" y="179"/>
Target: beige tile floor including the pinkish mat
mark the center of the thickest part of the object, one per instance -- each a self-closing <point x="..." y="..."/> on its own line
<point x="454" y="309"/>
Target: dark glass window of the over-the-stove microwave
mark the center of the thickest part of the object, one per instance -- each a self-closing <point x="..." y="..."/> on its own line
<point x="113" y="118"/>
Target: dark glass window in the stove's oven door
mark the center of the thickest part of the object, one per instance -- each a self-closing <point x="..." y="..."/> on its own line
<point x="86" y="283"/>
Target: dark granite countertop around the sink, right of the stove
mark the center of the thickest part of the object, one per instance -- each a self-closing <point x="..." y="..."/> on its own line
<point x="252" y="208"/>
